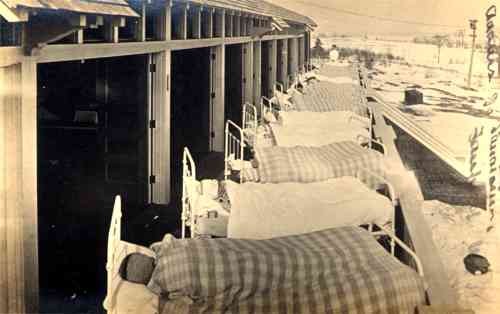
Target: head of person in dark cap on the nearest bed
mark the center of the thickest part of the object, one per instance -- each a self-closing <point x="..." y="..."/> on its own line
<point x="137" y="268"/>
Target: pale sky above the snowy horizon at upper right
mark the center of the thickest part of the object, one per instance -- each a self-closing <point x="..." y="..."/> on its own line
<point x="455" y="13"/>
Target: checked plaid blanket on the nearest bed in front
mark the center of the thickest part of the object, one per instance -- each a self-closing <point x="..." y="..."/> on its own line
<point x="341" y="270"/>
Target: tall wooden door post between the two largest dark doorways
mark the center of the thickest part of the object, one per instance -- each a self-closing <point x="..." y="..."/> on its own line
<point x="160" y="109"/>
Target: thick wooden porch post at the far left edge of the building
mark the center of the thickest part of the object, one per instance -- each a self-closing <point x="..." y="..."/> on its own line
<point x="18" y="189"/>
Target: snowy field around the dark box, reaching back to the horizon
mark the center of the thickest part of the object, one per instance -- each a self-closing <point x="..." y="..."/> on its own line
<point x="450" y="111"/>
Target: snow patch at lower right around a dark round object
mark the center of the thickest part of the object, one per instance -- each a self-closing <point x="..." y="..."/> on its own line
<point x="458" y="231"/>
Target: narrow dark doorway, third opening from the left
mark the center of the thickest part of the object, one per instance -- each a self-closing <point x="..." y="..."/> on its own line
<point x="233" y="84"/>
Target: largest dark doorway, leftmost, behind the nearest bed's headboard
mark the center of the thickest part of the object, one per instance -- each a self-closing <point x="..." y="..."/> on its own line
<point x="92" y="145"/>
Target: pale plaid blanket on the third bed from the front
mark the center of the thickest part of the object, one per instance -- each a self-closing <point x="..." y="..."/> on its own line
<point x="310" y="164"/>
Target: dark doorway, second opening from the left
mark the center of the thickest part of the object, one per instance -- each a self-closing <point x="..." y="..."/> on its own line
<point x="190" y="111"/>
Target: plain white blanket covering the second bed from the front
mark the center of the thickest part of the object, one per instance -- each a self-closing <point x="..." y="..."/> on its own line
<point x="261" y="211"/>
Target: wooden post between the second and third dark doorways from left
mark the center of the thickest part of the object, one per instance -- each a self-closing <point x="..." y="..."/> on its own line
<point x="218" y="102"/>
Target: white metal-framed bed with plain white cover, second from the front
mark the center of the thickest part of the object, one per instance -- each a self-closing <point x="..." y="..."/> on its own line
<point x="256" y="210"/>
